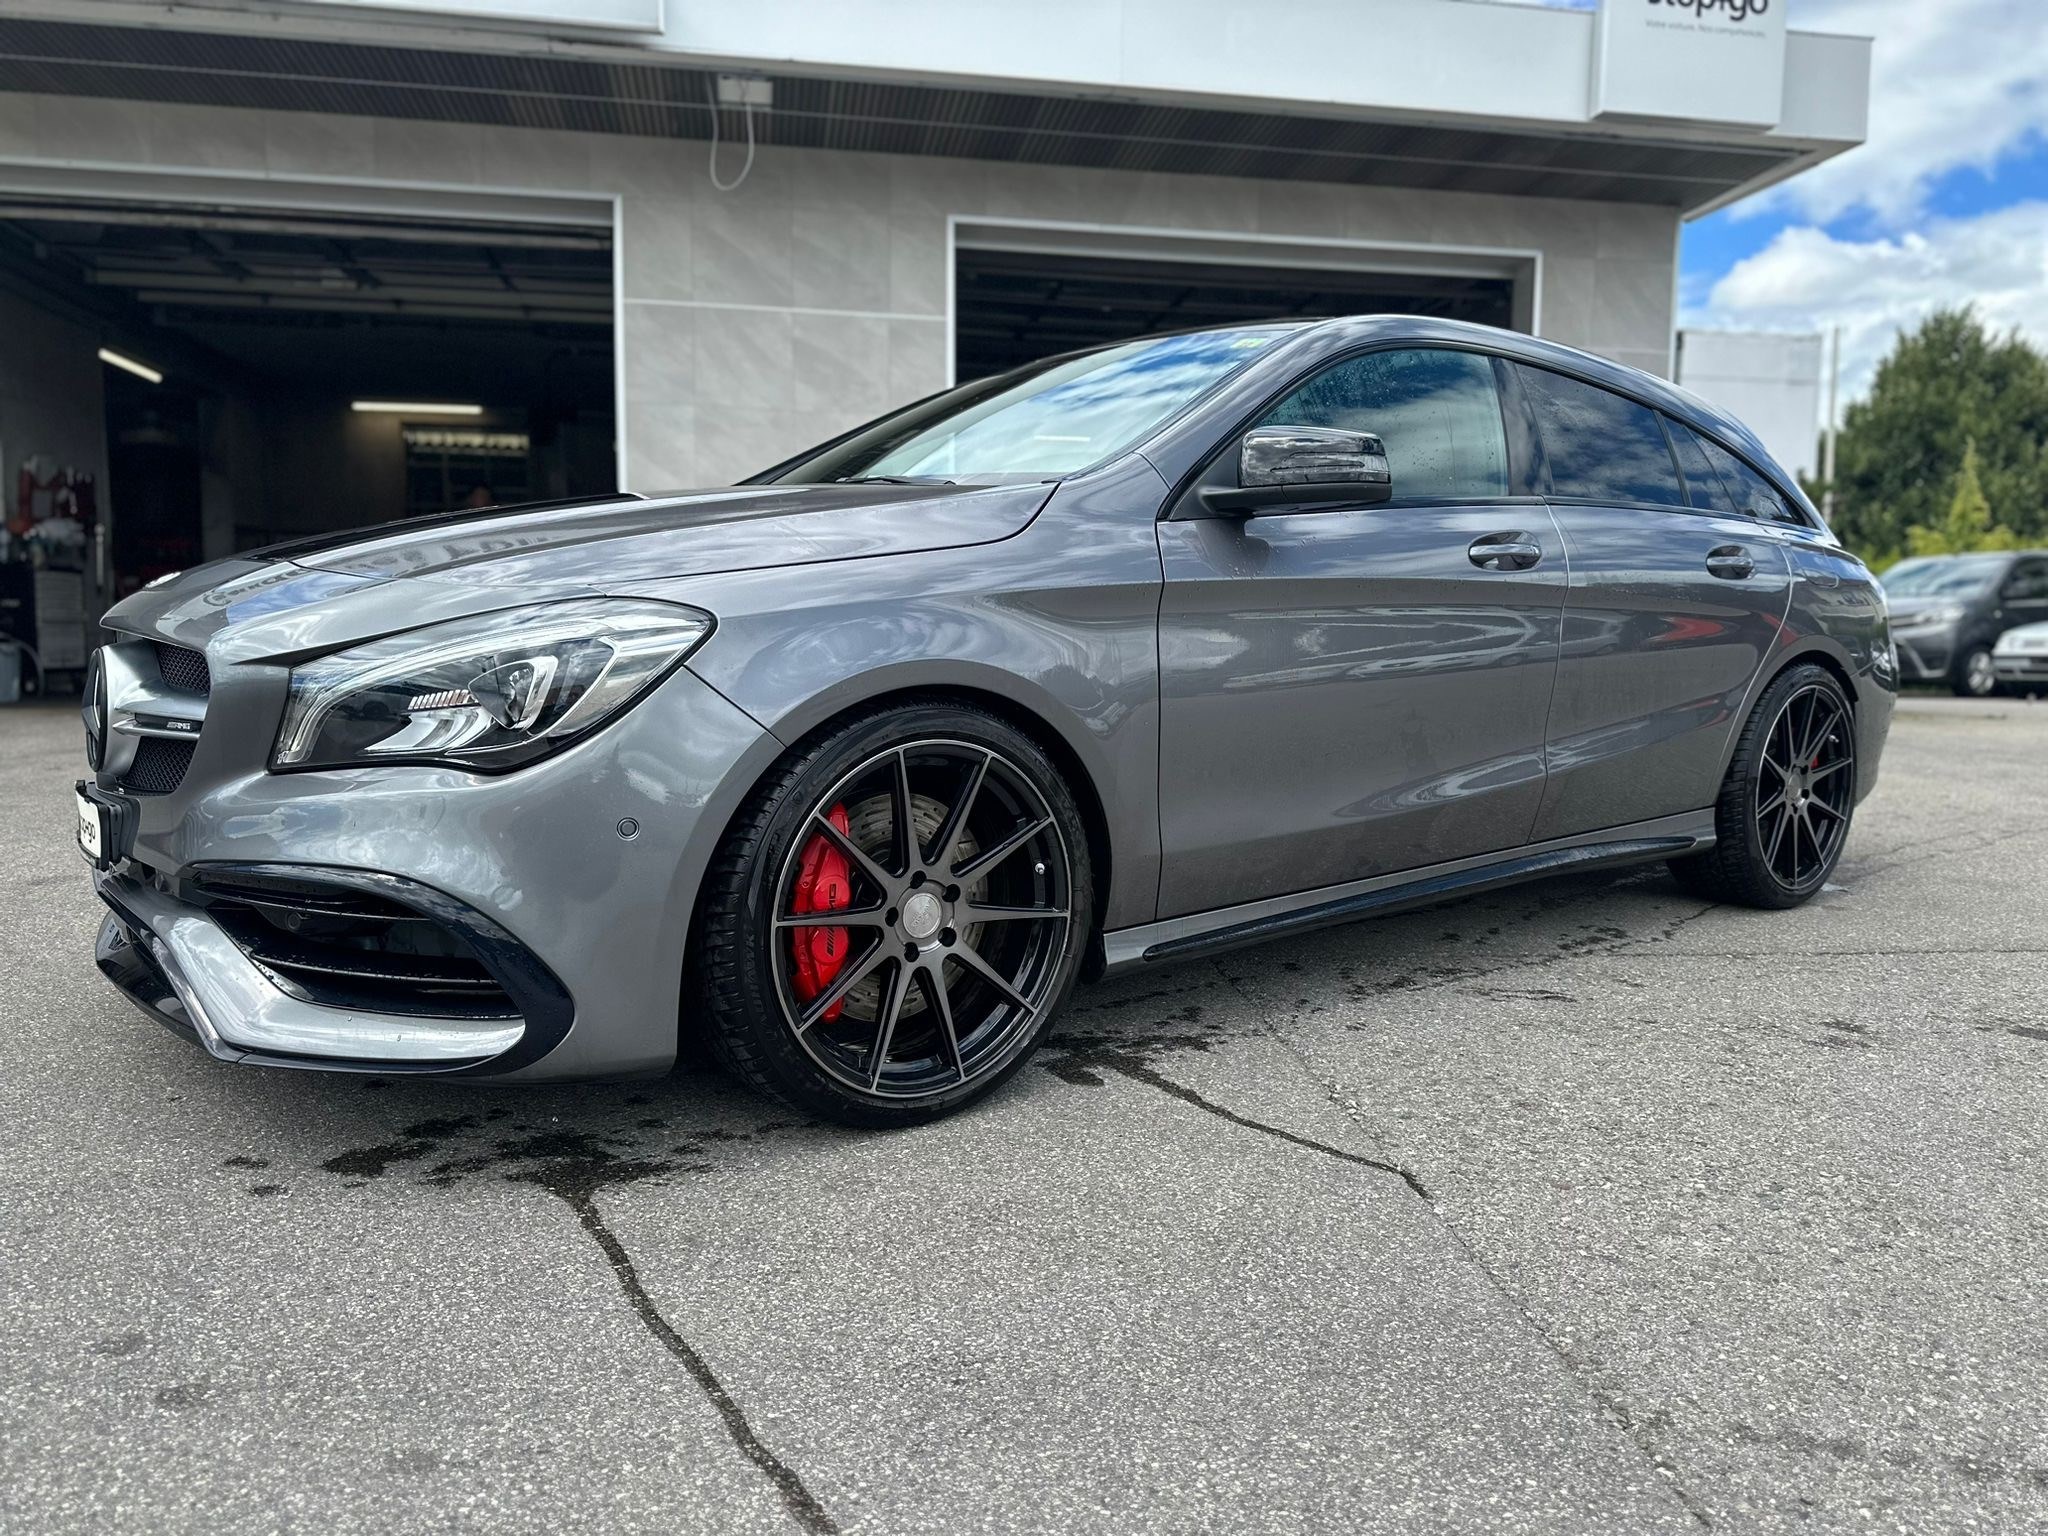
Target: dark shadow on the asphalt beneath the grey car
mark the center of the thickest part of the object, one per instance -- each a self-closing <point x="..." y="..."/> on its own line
<point x="589" y="1138"/>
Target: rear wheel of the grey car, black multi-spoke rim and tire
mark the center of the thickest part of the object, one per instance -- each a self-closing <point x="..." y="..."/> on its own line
<point x="1787" y="802"/>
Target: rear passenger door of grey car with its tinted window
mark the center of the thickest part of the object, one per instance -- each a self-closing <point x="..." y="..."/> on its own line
<point x="1676" y="601"/>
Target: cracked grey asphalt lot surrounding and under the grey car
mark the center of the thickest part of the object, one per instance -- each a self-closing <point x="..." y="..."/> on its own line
<point x="1572" y="1209"/>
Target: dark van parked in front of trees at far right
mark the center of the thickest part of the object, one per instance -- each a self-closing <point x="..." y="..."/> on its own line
<point x="1949" y="613"/>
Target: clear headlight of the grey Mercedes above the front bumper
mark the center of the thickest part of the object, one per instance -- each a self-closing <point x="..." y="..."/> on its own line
<point x="486" y="693"/>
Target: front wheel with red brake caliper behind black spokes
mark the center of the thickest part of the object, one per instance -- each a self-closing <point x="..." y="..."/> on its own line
<point x="959" y="929"/>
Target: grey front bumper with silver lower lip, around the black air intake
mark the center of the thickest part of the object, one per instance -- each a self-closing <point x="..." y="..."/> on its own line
<point x="587" y="865"/>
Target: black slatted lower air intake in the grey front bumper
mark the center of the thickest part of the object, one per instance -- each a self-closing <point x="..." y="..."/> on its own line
<point x="353" y="949"/>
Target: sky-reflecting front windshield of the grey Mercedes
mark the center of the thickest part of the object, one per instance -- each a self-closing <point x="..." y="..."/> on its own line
<point x="1043" y="423"/>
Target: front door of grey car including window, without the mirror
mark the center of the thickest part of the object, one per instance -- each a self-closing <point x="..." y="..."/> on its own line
<point x="1365" y="689"/>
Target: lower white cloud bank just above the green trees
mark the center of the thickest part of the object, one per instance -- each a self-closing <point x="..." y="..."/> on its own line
<point x="1807" y="280"/>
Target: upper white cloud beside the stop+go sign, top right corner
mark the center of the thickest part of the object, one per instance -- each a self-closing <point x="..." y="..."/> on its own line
<point x="1953" y="83"/>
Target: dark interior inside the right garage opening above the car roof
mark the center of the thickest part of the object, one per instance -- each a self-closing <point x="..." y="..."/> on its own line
<point x="1015" y="306"/>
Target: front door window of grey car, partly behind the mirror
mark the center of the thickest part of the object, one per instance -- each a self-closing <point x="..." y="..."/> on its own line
<point x="1437" y="413"/>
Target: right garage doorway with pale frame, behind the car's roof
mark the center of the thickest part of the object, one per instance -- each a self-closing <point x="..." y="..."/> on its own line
<point x="1023" y="296"/>
